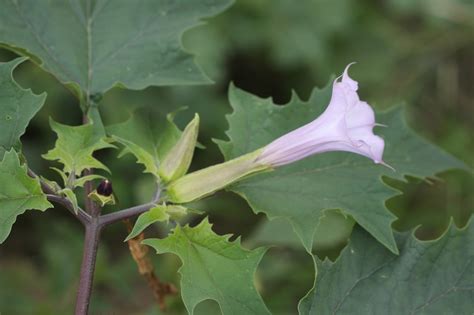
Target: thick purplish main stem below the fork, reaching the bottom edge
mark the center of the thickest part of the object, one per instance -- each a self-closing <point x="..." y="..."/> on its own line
<point x="91" y="245"/>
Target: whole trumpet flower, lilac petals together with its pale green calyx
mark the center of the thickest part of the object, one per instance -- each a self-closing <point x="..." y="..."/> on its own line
<point x="346" y="125"/>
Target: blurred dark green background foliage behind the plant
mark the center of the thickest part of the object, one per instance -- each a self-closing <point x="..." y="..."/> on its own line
<point x="416" y="52"/>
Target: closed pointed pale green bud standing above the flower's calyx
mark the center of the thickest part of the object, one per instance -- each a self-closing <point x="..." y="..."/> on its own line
<point x="178" y="159"/>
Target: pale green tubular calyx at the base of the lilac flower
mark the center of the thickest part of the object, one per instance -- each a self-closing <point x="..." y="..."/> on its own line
<point x="204" y="182"/>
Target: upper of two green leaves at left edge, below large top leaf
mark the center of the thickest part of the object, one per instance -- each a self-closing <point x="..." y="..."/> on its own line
<point x="17" y="108"/>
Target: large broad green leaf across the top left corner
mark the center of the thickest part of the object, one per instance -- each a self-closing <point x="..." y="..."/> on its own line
<point x="106" y="43"/>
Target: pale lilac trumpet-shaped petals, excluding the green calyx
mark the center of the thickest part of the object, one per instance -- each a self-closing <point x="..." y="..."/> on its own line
<point x="345" y="125"/>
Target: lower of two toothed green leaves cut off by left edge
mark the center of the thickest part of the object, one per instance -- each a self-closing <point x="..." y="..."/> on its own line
<point x="18" y="192"/>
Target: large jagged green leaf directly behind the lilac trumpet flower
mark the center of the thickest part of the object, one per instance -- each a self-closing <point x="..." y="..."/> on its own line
<point x="300" y="192"/>
